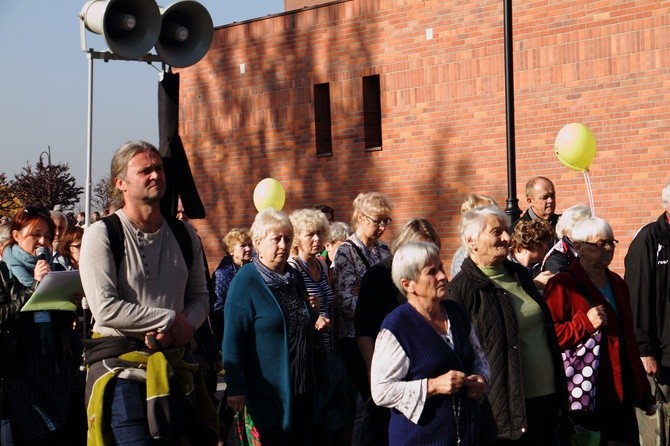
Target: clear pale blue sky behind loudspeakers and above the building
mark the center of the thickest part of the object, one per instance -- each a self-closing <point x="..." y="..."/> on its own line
<point x="44" y="85"/>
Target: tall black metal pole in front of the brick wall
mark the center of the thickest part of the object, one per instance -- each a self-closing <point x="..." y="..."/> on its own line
<point x="512" y="209"/>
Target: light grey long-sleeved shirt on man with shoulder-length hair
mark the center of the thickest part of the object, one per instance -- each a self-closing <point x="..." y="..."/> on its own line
<point x="153" y="282"/>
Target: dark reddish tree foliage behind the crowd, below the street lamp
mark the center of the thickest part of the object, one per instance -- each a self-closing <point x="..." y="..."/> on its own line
<point x="46" y="186"/>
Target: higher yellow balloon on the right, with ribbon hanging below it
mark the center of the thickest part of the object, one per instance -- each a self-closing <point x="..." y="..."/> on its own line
<point x="575" y="147"/>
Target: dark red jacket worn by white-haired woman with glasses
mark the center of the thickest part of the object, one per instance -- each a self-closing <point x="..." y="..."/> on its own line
<point x="569" y="307"/>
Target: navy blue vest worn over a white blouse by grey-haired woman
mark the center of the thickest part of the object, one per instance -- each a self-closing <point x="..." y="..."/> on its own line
<point x="430" y="356"/>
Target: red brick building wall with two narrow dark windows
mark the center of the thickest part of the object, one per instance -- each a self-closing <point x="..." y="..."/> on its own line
<point x="253" y="107"/>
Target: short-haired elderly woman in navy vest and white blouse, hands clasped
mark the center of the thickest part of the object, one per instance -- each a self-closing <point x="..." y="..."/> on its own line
<point x="427" y="363"/>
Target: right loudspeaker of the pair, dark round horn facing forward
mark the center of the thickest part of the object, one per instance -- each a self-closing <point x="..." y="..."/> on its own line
<point x="186" y="33"/>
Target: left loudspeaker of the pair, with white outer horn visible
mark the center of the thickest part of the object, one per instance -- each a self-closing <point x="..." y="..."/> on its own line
<point x="130" y="27"/>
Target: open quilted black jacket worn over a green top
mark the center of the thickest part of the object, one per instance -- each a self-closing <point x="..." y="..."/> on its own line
<point x="495" y="323"/>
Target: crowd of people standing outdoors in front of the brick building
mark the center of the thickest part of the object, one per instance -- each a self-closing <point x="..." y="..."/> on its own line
<point x="323" y="333"/>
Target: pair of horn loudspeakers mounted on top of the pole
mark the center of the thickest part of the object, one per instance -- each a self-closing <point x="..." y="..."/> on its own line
<point x="181" y="33"/>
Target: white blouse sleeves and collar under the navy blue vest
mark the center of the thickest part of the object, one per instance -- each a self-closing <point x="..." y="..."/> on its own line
<point x="389" y="368"/>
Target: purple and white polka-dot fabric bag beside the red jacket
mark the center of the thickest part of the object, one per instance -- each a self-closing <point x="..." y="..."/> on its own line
<point x="581" y="370"/>
